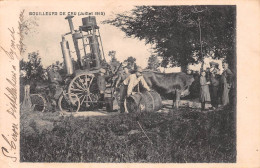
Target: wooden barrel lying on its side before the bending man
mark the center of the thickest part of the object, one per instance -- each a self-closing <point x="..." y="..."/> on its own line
<point x="144" y="102"/>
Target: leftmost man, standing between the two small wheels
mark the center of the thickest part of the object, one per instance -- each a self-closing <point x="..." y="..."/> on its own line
<point x="55" y="89"/>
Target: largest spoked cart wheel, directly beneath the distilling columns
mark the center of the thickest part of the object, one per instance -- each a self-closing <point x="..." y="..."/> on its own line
<point x="85" y="87"/>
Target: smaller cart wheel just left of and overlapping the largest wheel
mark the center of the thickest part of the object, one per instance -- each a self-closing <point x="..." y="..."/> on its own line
<point x="68" y="105"/>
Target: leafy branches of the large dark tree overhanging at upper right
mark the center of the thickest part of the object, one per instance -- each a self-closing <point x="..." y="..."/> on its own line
<point x="178" y="32"/>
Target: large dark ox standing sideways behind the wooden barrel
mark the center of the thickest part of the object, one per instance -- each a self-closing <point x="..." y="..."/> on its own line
<point x="169" y="85"/>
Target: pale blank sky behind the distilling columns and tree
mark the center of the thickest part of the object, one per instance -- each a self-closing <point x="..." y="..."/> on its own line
<point x="48" y="34"/>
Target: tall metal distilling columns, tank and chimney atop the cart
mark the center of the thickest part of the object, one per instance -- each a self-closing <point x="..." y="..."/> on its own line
<point x="87" y="44"/>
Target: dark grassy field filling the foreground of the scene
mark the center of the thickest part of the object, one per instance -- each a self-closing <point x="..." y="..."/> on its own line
<point x="184" y="135"/>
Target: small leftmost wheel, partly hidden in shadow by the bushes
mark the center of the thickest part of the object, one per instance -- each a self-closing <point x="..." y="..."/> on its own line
<point x="38" y="102"/>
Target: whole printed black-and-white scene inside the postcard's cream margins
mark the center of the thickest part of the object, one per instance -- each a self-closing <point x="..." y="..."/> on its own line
<point x="169" y="98"/>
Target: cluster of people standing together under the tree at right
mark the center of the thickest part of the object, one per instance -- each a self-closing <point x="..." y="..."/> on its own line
<point x="215" y="87"/>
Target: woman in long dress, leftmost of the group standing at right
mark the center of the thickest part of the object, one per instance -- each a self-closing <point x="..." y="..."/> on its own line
<point x="204" y="90"/>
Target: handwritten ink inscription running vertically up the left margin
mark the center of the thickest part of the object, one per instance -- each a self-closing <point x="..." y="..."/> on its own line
<point x="9" y="148"/>
